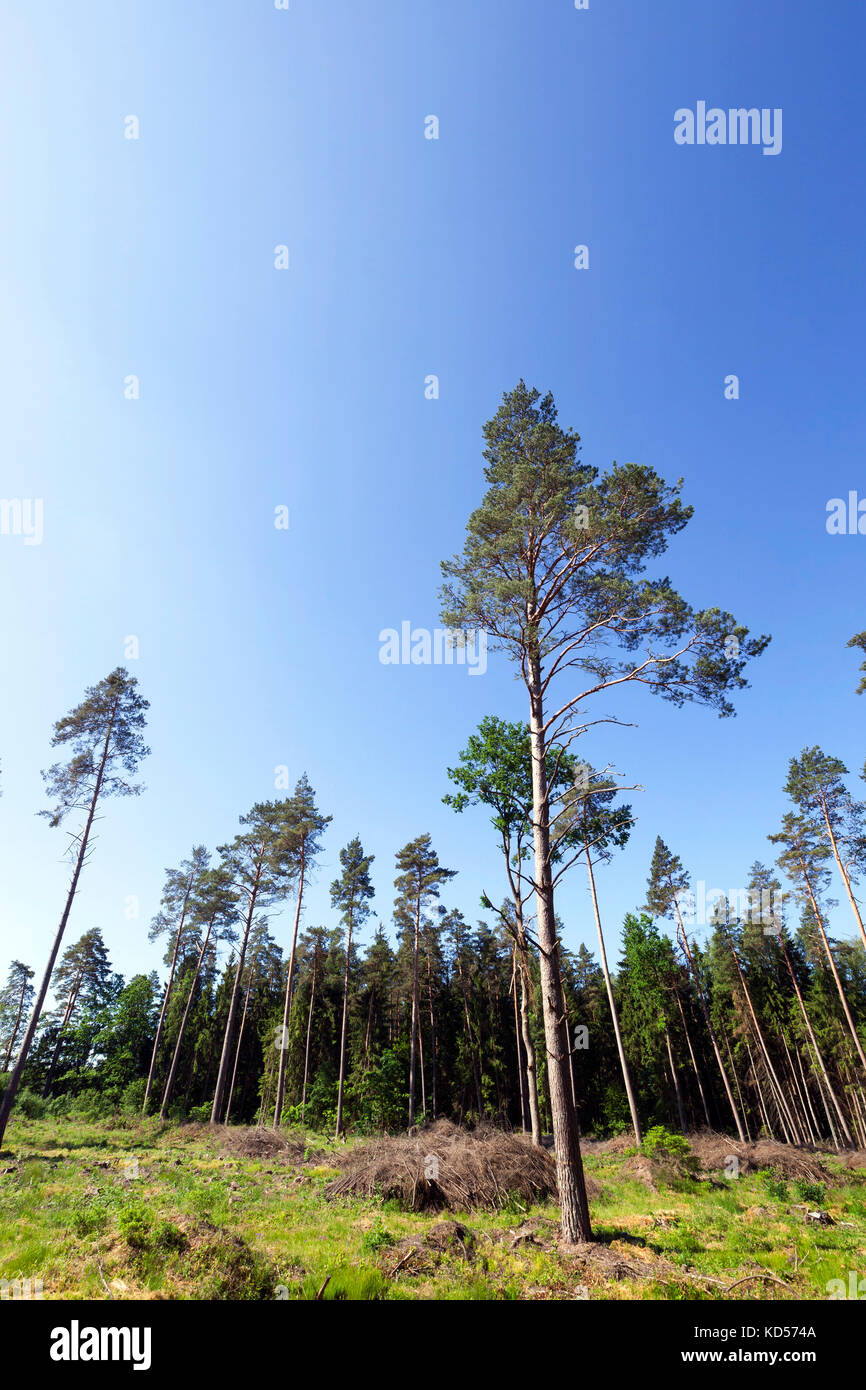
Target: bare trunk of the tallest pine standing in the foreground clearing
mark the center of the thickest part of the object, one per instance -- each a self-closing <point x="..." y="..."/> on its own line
<point x="576" y="1227"/>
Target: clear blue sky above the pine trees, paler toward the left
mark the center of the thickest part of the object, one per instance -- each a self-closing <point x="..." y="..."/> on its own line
<point x="305" y="389"/>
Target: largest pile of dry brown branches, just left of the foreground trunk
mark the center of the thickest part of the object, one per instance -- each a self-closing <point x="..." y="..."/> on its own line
<point x="443" y="1167"/>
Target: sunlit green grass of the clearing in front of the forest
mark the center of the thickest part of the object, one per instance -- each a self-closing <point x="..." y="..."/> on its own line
<point x="144" y="1210"/>
